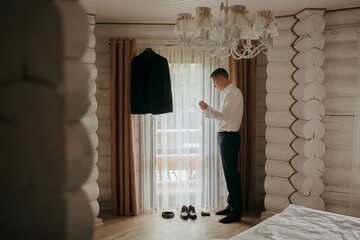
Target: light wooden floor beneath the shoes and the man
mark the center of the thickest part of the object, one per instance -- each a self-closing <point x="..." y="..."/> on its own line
<point x="151" y="226"/>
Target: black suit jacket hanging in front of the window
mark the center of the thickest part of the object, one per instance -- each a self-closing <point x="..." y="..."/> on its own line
<point x="150" y="84"/>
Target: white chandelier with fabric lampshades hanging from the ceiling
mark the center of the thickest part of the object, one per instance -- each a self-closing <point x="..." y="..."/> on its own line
<point x="221" y="39"/>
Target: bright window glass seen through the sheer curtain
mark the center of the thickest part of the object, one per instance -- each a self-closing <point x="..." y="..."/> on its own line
<point x="179" y="134"/>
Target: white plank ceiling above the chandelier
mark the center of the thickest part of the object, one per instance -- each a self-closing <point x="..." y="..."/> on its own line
<point x="165" y="11"/>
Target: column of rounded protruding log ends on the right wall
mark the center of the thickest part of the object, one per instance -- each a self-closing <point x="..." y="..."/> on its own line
<point x="308" y="109"/>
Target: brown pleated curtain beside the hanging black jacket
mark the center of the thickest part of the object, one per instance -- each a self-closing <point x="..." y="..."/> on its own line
<point x="123" y="187"/>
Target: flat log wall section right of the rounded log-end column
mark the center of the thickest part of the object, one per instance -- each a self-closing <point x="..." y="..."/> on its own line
<point x="341" y="85"/>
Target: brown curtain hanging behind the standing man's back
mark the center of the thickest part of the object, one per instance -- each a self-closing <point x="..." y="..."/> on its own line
<point x="242" y="73"/>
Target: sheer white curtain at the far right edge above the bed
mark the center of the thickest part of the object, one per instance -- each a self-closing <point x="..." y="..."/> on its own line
<point x="354" y="205"/>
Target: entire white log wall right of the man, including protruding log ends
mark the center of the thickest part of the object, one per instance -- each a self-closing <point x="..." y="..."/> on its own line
<point x="319" y="84"/>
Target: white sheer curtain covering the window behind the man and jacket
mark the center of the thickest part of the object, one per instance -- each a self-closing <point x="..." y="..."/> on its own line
<point x="177" y="159"/>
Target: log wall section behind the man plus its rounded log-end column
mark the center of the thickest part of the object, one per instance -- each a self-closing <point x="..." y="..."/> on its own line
<point x="294" y="113"/>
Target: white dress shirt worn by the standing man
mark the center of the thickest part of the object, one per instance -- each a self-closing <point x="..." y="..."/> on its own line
<point x="232" y="107"/>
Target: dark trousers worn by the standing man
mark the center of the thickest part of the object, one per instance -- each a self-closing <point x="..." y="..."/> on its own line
<point x="229" y="145"/>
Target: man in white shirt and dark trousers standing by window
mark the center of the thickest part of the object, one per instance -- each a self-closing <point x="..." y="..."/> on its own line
<point x="229" y="120"/>
